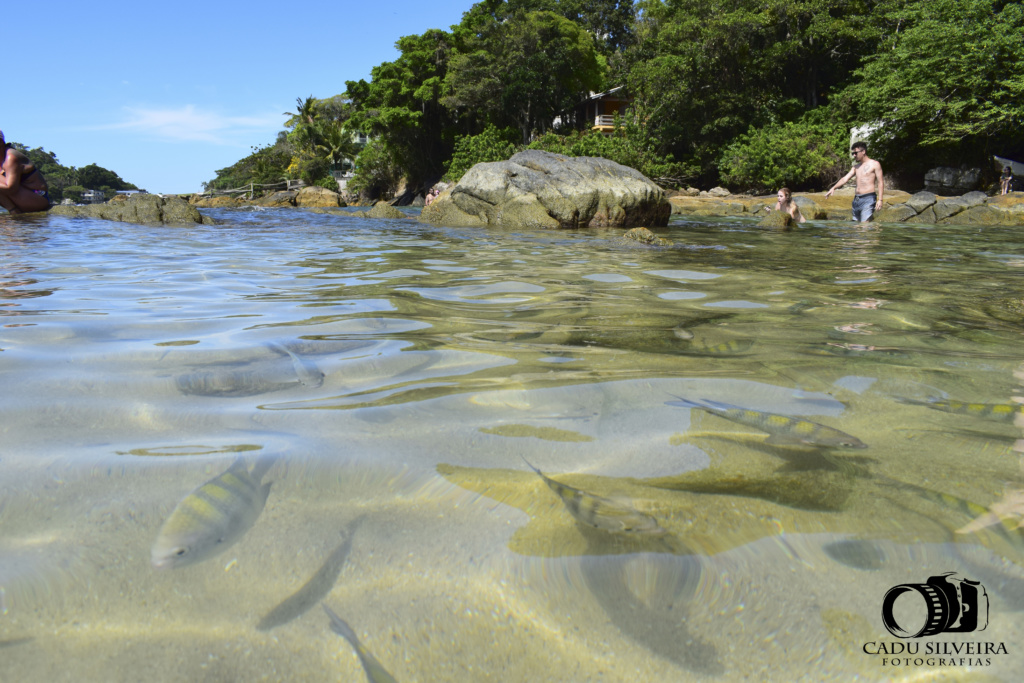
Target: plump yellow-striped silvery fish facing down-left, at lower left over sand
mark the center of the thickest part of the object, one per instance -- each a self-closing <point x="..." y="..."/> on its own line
<point x="209" y="521"/>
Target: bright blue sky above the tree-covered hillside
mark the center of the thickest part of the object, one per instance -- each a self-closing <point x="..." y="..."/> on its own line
<point x="165" y="95"/>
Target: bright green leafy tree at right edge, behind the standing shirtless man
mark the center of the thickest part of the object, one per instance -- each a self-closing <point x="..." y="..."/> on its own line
<point x="949" y="88"/>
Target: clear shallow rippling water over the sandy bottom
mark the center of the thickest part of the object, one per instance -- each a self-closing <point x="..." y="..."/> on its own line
<point x="400" y="374"/>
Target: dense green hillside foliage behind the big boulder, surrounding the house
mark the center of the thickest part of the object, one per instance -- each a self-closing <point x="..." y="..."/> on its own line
<point x="753" y="94"/>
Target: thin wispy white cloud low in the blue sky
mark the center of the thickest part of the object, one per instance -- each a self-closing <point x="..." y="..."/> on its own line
<point x="190" y="124"/>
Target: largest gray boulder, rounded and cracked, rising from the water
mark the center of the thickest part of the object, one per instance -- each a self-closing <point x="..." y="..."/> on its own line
<point x="537" y="189"/>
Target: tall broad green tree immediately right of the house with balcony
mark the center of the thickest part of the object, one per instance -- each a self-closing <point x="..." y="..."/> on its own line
<point x="703" y="72"/>
